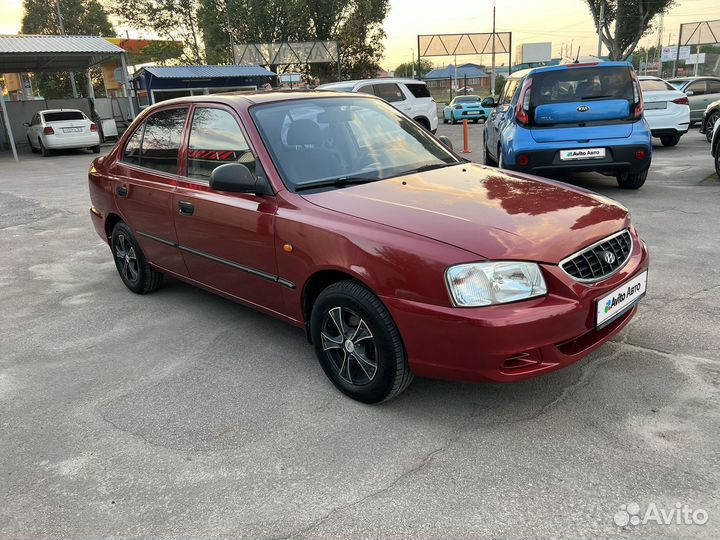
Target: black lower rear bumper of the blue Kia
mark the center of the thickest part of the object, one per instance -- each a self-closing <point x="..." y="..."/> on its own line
<point x="618" y="159"/>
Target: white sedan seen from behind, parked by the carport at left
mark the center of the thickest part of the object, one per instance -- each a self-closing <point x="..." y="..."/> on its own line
<point x="60" y="129"/>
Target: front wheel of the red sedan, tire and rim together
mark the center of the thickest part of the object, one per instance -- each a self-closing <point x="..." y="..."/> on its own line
<point x="337" y="317"/>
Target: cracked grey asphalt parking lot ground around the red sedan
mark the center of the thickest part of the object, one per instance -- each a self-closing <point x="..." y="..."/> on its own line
<point x="183" y="415"/>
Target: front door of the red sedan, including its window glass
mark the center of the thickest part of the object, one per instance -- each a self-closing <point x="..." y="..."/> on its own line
<point x="227" y="239"/>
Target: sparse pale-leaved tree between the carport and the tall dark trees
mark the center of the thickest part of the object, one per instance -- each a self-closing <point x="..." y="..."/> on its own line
<point x="174" y="20"/>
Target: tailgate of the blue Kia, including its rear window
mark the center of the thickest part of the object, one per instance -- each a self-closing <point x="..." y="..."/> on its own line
<point x="580" y="103"/>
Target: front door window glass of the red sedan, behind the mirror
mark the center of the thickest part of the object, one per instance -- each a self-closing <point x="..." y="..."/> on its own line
<point x="215" y="139"/>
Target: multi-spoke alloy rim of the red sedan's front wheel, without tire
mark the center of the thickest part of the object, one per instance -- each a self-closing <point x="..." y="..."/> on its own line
<point x="349" y="344"/>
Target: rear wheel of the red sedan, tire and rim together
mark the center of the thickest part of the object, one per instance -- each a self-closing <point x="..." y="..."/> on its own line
<point x="130" y="261"/>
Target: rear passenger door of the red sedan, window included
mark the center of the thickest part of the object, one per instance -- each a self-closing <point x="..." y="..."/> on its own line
<point x="143" y="185"/>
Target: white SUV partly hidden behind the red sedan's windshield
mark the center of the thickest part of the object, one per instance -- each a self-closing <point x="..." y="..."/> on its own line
<point x="410" y="96"/>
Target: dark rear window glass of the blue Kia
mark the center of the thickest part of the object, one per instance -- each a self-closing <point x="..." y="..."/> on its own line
<point x="581" y="84"/>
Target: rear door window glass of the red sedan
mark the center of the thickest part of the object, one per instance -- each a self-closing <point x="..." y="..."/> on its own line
<point x="161" y="140"/>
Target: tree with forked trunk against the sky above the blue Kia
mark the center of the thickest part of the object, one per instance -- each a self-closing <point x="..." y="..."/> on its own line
<point x="625" y="22"/>
